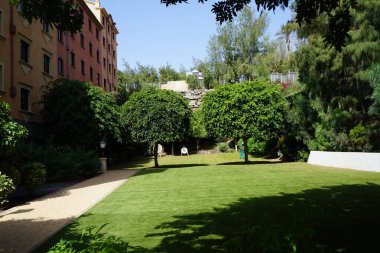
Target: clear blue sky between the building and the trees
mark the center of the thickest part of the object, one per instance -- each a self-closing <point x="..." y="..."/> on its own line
<point x="153" y="34"/>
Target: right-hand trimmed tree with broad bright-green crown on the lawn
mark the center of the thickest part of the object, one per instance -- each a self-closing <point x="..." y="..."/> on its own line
<point x="250" y="109"/>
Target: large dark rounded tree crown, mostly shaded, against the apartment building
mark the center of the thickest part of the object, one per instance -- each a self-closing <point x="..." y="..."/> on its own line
<point x="79" y="114"/>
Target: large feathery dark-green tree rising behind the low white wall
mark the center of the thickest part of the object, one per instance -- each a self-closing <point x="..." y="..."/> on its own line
<point x="336" y="82"/>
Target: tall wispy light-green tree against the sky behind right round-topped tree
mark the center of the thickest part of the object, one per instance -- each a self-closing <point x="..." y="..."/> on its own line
<point x="233" y="51"/>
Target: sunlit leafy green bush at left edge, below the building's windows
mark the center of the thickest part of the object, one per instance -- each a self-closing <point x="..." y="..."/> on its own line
<point x="12" y="134"/>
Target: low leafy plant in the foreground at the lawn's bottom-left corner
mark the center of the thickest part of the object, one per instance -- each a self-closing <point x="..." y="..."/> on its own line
<point x="92" y="240"/>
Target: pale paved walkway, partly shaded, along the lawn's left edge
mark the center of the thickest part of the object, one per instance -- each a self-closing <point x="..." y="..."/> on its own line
<point x="25" y="227"/>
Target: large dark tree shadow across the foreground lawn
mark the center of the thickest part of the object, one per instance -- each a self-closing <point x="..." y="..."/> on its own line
<point x="332" y="219"/>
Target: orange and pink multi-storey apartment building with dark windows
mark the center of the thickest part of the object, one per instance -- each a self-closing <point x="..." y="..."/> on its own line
<point x="33" y="54"/>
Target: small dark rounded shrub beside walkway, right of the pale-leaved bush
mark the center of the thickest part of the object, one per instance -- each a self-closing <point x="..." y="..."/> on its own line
<point x="34" y="175"/>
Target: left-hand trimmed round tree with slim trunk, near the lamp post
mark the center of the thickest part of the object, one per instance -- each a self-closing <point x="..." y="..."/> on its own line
<point x="153" y="116"/>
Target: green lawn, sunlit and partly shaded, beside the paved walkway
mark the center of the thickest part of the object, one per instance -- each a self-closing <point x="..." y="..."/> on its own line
<point x="214" y="203"/>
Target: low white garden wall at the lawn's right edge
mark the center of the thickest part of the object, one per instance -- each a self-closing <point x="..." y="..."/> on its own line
<point x="349" y="160"/>
